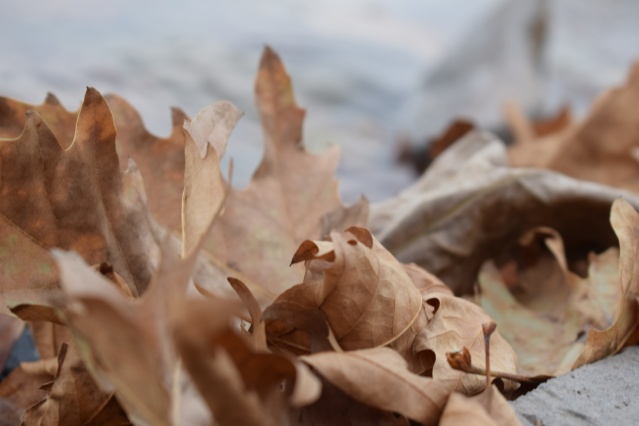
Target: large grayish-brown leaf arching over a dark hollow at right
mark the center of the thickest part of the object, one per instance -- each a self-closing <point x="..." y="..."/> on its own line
<point x="460" y="212"/>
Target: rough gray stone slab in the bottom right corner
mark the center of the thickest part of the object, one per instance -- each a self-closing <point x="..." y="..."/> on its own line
<point x="603" y="393"/>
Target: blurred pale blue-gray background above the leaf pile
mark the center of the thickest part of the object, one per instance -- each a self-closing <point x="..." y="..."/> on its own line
<point x="369" y="72"/>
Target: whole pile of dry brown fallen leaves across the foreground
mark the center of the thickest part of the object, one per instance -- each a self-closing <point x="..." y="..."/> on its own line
<point x="158" y="294"/>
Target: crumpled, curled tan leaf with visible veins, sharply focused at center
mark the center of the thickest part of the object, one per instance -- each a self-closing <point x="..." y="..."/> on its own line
<point x="363" y="292"/>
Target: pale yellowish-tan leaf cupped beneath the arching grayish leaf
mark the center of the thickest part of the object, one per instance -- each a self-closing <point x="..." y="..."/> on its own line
<point x="550" y="306"/>
